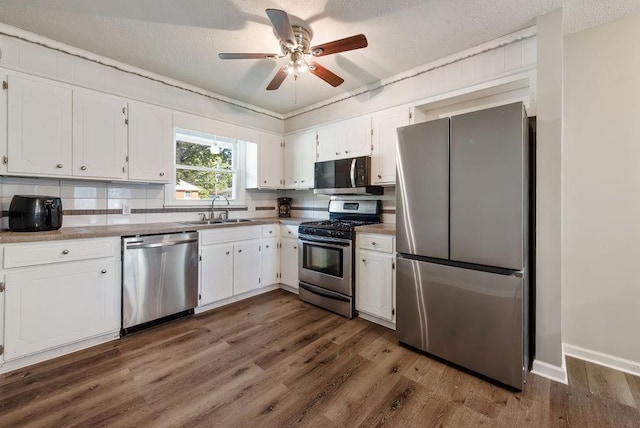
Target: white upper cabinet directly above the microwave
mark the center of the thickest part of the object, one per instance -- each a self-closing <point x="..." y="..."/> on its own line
<point x="347" y="139"/>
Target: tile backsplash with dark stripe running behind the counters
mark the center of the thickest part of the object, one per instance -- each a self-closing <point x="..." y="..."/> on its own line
<point x="90" y="203"/>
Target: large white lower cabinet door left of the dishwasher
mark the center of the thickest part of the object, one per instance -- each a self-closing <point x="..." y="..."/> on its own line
<point x="62" y="304"/>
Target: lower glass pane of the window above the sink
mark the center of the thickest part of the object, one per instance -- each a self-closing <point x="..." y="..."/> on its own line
<point x="204" y="184"/>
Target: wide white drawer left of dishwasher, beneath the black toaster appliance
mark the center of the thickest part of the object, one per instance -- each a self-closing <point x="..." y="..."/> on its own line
<point x="31" y="254"/>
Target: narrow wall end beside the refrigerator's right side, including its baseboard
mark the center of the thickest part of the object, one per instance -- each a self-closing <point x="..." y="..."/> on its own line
<point x="548" y="320"/>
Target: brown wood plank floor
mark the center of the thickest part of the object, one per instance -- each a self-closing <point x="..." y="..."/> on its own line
<point x="275" y="361"/>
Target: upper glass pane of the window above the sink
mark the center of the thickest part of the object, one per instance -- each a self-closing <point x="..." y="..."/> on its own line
<point x="216" y="155"/>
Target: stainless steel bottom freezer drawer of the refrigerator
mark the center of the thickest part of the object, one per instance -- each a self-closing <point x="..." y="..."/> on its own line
<point x="471" y="318"/>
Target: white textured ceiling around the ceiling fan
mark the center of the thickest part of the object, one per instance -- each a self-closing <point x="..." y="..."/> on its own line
<point x="181" y="39"/>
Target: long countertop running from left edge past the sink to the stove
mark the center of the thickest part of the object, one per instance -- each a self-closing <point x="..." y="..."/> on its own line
<point x="84" y="232"/>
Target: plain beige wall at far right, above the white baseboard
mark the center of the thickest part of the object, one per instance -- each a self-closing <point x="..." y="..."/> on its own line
<point x="601" y="189"/>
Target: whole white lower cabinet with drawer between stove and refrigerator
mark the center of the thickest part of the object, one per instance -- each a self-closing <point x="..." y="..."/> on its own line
<point x="375" y="277"/>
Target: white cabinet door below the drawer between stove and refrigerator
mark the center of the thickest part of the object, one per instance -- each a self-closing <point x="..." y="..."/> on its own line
<point x="374" y="287"/>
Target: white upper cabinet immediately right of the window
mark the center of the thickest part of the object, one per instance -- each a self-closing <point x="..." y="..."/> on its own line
<point x="265" y="163"/>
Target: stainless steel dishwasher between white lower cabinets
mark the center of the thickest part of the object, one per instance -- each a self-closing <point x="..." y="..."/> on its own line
<point x="159" y="277"/>
